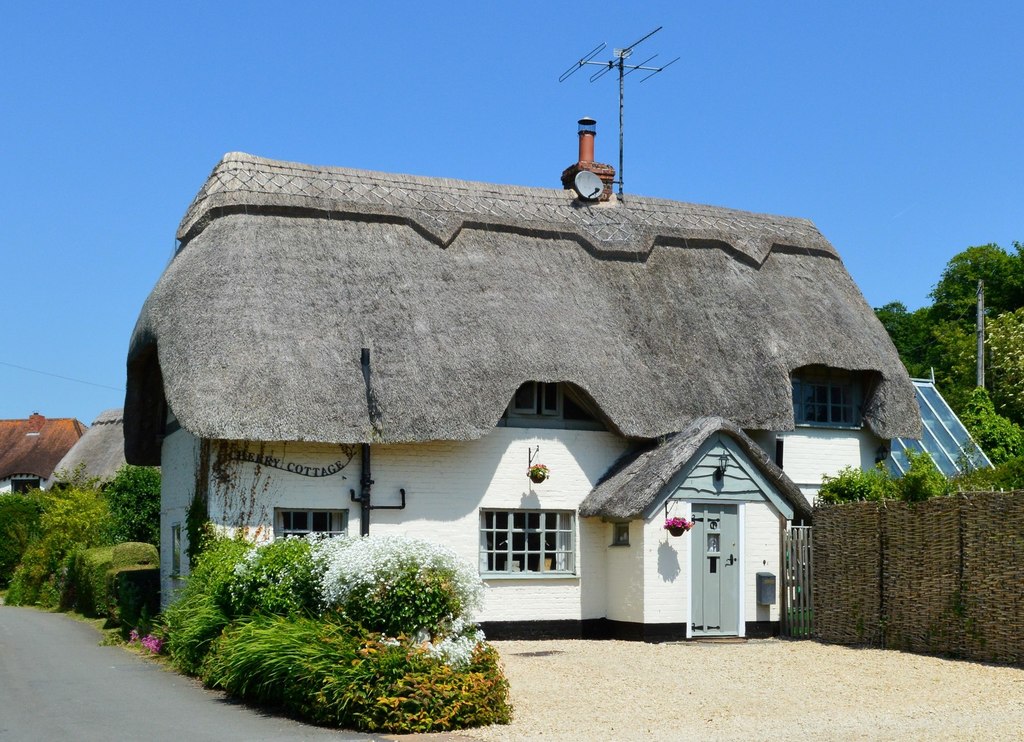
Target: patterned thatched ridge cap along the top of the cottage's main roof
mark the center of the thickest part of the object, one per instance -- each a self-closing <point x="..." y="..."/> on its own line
<point x="441" y="208"/>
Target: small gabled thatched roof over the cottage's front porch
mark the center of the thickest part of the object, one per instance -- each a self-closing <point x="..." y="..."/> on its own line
<point x="632" y="487"/>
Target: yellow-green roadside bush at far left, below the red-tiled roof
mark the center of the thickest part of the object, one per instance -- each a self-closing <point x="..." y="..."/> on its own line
<point x="73" y="519"/>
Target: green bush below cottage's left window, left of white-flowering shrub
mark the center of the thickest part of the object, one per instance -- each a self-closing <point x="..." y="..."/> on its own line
<point x="279" y="578"/>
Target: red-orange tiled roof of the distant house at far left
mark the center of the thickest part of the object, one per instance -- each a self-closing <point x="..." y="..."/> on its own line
<point x="35" y="446"/>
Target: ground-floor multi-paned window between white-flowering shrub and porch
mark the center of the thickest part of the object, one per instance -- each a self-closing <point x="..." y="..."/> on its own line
<point x="528" y="542"/>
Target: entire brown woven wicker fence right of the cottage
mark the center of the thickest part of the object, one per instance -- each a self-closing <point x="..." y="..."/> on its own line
<point x="942" y="577"/>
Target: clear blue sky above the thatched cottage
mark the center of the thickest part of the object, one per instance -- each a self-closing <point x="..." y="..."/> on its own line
<point x="894" y="126"/>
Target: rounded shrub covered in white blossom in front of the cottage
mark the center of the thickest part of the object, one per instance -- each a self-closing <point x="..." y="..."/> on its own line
<point x="403" y="587"/>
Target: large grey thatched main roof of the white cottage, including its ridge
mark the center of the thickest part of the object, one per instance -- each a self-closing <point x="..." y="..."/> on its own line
<point x="662" y="312"/>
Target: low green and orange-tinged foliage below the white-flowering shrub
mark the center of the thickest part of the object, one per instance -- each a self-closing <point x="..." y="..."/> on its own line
<point x="335" y="674"/>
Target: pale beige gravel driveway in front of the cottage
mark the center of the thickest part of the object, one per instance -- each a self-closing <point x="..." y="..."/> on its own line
<point x="758" y="690"/>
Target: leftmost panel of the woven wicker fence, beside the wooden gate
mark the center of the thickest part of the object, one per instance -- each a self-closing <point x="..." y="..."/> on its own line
<point x="847" y="572"/>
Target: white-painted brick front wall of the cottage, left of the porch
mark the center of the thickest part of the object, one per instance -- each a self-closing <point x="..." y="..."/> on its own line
<point x="447" y="484"/>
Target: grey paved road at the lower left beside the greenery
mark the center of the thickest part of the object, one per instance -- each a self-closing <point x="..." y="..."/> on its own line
<point x="57" y="683"/>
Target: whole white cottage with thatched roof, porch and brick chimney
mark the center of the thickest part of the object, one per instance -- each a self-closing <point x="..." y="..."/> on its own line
<point x="344" y="352"/>
